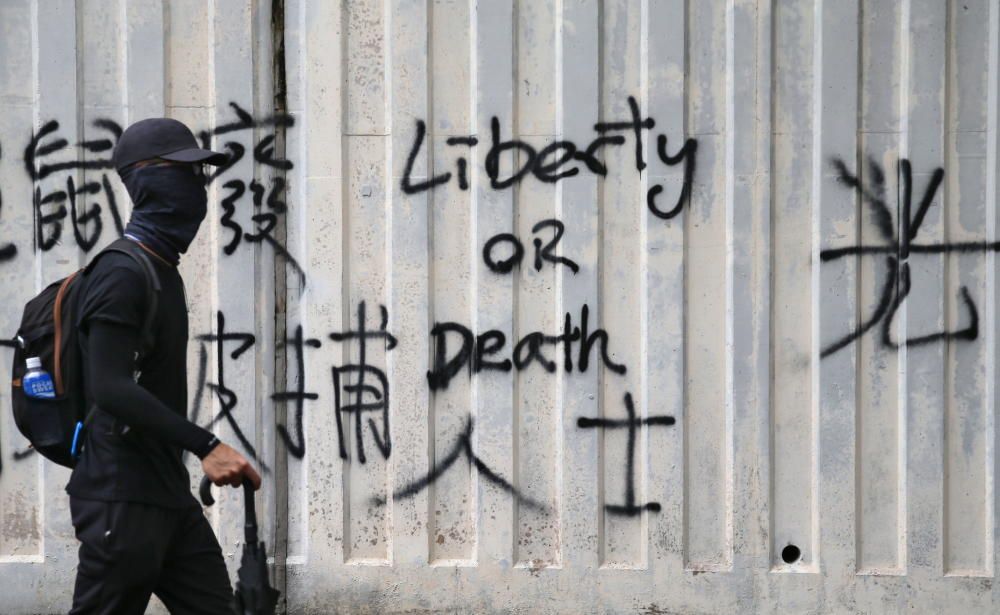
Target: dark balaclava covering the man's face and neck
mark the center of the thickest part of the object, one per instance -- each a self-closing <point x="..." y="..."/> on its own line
<point x="170" y="201"/>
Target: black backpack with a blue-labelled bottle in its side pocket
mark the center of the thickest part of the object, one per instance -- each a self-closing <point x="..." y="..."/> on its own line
<point x="54" y="425"/>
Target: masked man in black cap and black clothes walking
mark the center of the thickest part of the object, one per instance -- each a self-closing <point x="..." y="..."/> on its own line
<point x="140" y="528"/>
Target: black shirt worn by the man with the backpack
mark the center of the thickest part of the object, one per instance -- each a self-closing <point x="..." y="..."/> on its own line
<point x="134" y="441"/>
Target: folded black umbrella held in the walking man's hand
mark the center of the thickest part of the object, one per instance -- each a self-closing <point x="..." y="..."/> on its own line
<point x="254" y="594"/>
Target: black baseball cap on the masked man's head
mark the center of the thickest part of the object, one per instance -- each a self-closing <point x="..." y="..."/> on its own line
<point x="161" y="137"/>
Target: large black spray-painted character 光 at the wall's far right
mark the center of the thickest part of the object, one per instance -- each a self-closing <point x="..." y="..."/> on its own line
<point x="898" y="245"/>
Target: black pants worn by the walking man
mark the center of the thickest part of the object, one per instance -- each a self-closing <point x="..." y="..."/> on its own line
<point x="129" y="551"/>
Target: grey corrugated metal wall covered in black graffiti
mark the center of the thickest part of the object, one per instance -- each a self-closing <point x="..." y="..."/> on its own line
<point x="550" y="306"/>
